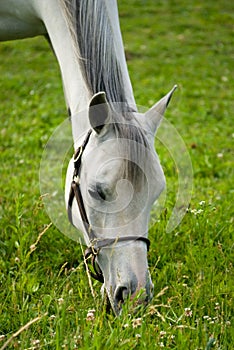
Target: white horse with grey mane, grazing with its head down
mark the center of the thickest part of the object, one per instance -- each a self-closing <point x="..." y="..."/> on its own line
<point x="116" y="175"/>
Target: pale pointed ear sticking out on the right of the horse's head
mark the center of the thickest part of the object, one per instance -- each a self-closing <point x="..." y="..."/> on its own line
<point x="155" y="114"/>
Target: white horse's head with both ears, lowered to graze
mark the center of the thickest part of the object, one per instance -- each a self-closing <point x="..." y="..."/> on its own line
<point x="117" y="180"/>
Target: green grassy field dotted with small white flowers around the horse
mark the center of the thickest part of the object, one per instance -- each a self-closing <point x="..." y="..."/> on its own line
<point x="45" y="298"/>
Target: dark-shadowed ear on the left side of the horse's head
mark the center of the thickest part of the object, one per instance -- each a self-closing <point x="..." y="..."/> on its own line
<point x="99" y="112"/>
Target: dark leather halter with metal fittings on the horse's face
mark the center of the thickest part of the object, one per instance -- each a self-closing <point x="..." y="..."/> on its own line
<point x="95" y="243"/>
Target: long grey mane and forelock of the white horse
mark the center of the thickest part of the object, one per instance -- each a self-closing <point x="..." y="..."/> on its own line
<point x="97" y="53"/>
